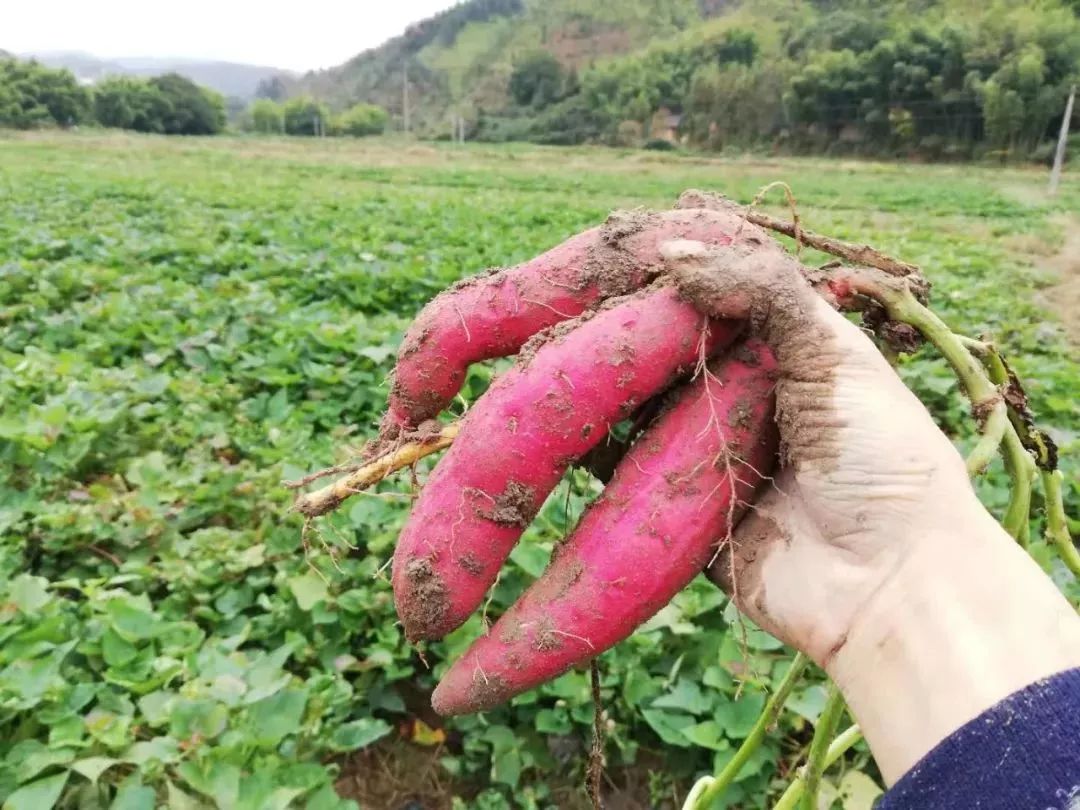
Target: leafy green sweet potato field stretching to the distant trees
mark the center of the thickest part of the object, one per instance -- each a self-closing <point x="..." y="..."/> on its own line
<point x="186" y="323"/>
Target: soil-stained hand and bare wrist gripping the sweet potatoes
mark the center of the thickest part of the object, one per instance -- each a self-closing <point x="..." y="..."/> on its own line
<point x="871" y="552"/>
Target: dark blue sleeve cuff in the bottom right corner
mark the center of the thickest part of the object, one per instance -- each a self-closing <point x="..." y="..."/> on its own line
<point x="1023" y="754"/>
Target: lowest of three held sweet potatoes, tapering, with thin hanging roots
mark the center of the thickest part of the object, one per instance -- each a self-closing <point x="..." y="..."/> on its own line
<point x="673" y="498"/>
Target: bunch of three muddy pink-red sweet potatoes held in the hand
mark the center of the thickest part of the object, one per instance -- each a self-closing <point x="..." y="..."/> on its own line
<point x="602" y="336"/>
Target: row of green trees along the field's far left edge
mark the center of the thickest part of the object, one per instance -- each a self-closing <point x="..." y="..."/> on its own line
<point x="33" y="96"/>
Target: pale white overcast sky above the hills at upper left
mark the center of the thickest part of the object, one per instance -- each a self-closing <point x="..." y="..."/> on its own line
<point x="300" y="35"/>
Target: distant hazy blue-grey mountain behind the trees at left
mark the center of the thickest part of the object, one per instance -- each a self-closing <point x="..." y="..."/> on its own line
<point x="227" y="78"/>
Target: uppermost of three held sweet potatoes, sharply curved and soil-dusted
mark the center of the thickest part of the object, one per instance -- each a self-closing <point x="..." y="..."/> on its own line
<point x="494" y="316"/>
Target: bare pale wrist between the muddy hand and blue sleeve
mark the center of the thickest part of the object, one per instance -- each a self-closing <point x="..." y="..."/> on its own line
<point x="967" y="619"/>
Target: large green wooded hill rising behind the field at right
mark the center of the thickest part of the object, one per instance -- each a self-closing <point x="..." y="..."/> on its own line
<point x="939" y="78"/>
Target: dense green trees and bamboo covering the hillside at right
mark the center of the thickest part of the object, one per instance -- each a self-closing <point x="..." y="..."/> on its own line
<point x="847" y="80"/>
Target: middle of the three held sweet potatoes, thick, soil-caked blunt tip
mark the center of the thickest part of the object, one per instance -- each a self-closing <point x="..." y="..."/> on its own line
<point x="521" y="437"/>
